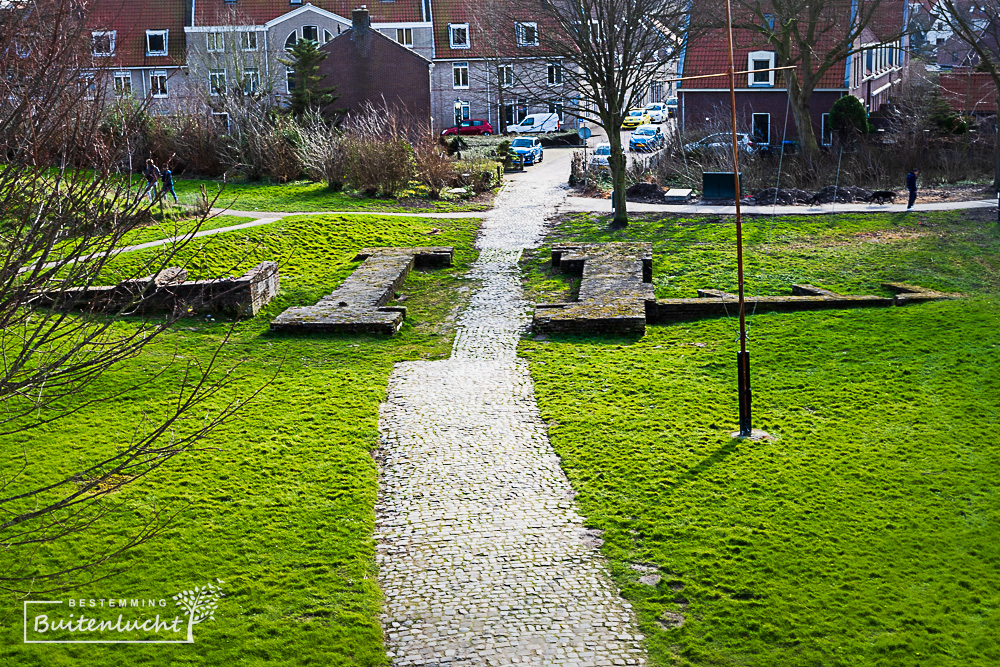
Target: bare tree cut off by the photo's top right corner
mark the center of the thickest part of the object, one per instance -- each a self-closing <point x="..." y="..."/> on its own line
<point x="978" y="25"/>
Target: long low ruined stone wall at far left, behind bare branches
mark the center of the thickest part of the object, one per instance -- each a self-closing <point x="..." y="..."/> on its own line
<point x="171" y="291"/>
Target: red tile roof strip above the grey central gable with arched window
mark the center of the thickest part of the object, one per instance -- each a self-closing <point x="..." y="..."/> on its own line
<point x="258" y="12"/>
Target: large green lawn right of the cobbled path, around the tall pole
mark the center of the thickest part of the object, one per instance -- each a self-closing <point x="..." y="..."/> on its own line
<point x="866" y="532"/>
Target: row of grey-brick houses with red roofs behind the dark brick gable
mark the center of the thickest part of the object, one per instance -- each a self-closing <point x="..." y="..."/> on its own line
<point x="181" y="52"/>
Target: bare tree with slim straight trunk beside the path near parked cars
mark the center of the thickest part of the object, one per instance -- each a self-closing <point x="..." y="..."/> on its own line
<point x="610" y="50"/>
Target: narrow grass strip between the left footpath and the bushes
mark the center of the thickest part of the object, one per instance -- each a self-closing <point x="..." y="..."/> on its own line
<point x="307" y="196"/>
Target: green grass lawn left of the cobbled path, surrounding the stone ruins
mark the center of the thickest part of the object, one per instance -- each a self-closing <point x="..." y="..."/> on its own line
<point x="279" y="503"/>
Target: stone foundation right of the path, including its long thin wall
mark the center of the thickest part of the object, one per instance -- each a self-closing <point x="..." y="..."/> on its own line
<point x="616" y="294"/>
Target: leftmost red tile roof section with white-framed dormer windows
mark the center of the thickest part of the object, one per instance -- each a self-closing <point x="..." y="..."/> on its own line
<point x="131" y="19"/>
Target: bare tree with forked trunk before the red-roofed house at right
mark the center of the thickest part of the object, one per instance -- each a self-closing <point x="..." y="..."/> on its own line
<point x="815" y="37"/>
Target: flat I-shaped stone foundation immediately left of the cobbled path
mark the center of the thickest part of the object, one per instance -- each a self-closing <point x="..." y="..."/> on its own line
<point x="359" y="304"/>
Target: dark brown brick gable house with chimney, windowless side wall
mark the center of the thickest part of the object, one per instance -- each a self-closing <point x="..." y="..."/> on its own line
<point x="366" y="66"/>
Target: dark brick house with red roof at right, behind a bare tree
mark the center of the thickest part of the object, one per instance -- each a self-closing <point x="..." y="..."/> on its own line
<point x="761" y="99"/>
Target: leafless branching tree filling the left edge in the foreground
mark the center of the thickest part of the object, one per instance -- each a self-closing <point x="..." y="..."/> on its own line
<point x="66" y="206"/>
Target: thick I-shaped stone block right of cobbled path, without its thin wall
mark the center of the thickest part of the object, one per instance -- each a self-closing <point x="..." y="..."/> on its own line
<point x="615" y="289"/>
